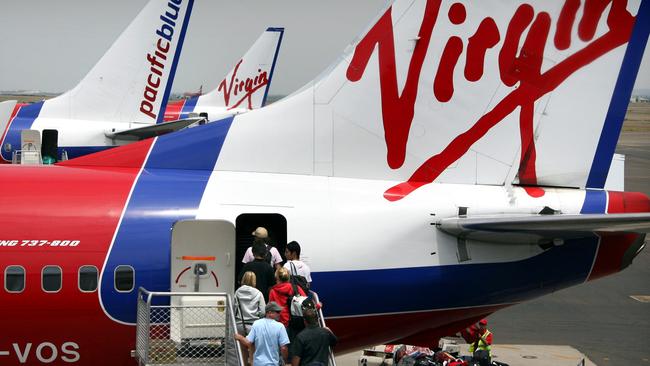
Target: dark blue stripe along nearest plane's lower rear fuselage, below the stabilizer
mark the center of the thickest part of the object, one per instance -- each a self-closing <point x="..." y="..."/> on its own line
<point x="346" y="293"/>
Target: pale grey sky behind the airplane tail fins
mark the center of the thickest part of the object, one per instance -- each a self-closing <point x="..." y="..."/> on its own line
<point x="50" y="45"/>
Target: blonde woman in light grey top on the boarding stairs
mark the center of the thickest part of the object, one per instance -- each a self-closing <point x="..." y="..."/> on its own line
<point x="249" y="303"/>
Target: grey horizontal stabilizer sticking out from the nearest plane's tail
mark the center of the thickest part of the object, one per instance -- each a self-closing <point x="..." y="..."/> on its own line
<point x="539" y="229"/>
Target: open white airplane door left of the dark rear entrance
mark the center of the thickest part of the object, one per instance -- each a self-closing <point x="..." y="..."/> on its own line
<point x="203" y="256"/>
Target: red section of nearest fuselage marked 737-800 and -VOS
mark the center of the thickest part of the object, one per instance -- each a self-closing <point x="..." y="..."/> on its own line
<point x="62" y="203"/>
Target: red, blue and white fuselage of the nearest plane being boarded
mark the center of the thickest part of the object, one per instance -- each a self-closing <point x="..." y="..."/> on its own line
<point x="365" y="252"/>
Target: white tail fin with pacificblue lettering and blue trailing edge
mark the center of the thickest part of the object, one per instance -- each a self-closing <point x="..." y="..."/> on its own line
<point x="132" y="81"/>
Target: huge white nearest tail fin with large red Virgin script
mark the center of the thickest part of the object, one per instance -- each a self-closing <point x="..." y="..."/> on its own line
<point x="463" y="92"/>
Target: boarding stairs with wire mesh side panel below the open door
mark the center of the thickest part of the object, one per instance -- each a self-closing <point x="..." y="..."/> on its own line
<point x="178" y="328"/>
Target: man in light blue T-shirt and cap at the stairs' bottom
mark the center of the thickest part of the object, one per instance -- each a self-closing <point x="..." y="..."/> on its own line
<point x="267" y="337"/>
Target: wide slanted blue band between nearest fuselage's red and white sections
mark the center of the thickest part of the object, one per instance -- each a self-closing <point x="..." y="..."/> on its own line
<point x="169" y="189"/>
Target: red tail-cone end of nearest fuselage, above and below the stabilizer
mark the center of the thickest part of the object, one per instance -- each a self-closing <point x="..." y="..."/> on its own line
<point x="613" y="246"/>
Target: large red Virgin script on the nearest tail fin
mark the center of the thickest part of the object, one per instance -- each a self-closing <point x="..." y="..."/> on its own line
<point x="523" y="68"/>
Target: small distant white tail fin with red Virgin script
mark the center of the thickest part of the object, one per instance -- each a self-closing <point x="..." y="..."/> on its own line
<point x="247" y="84"/>
